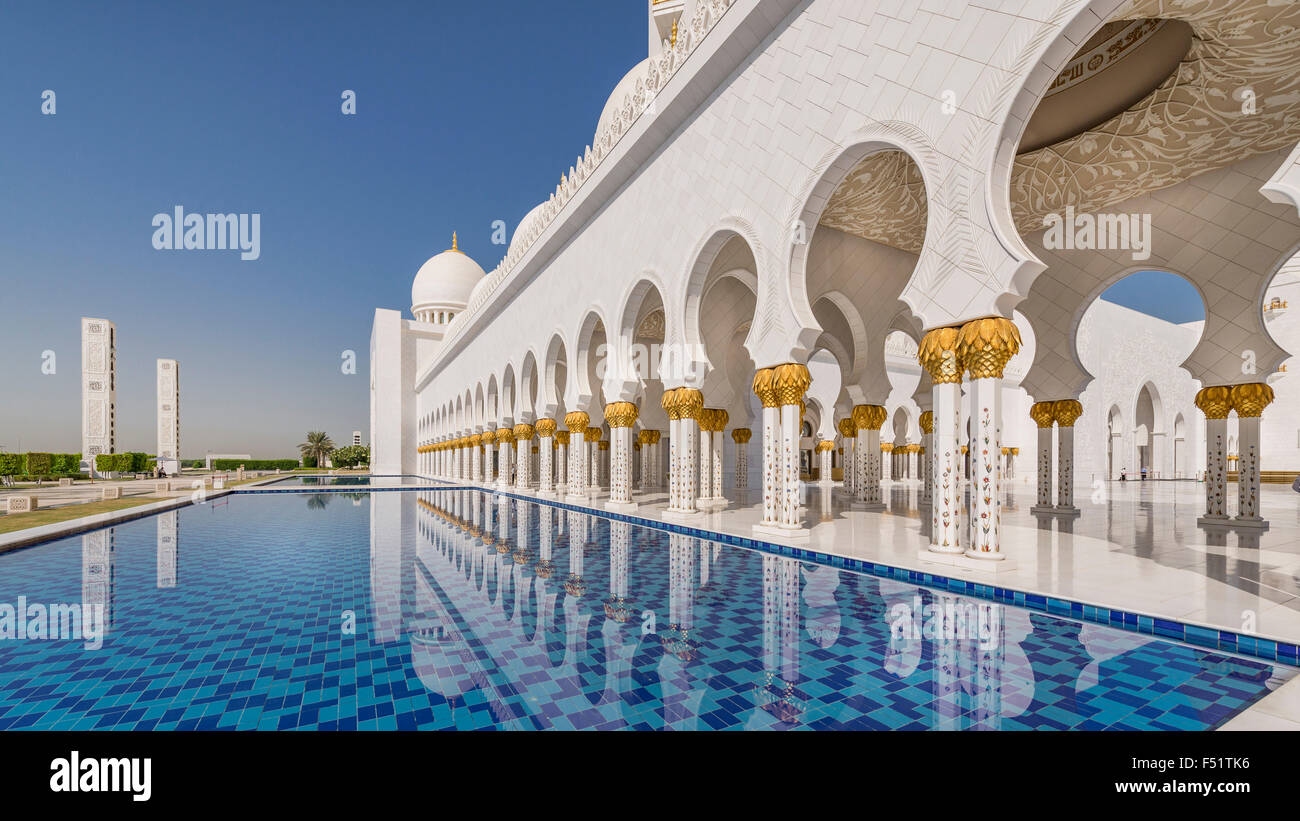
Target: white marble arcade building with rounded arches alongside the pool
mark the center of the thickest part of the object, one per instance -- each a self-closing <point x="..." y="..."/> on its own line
<point x="783" y="180"/>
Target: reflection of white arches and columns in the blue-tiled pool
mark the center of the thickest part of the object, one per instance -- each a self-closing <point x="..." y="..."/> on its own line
<point x="661" y="631"/>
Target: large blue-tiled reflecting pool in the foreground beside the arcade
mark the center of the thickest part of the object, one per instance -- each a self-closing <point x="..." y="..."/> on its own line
<point x="461" y="610"/>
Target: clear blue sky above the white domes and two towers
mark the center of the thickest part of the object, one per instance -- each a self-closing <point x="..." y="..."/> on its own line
<point x="467" y="114"/>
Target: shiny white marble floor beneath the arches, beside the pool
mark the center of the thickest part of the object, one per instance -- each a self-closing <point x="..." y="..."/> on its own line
<point x="1136" y="546"/>
